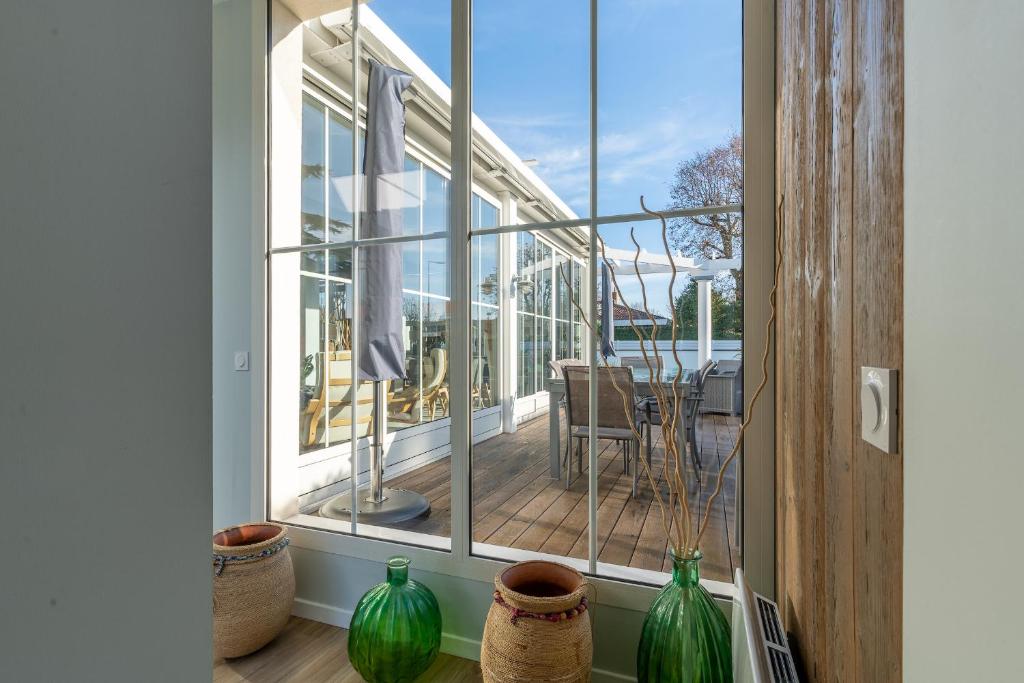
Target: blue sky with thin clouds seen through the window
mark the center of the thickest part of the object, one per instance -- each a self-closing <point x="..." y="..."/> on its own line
<point x="669" y="86"/>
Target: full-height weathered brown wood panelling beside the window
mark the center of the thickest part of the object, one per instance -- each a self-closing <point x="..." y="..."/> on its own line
<point x="839" y="122"/>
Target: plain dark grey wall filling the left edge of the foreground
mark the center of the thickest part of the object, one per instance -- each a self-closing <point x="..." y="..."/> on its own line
<point x="105" y="341"/>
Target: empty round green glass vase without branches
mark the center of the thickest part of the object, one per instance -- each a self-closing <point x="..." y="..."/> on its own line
<point x="397" y="629"/>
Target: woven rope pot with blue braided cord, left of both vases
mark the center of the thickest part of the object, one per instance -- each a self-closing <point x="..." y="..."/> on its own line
<point x="253" y="588"/>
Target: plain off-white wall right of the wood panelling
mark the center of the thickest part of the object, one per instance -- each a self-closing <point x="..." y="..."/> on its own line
<point x="964" y="454"/>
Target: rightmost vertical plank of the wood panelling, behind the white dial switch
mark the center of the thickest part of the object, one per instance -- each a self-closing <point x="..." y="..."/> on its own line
<point x="878" y="327"/>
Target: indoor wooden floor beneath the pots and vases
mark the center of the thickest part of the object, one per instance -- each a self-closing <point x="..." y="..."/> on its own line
<point x="312" y="653"/>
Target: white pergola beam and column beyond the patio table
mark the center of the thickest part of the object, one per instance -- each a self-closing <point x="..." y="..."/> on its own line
<point x="626" y="262"/>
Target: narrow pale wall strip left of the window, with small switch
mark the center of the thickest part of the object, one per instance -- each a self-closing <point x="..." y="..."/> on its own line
<point x="238" y="230"/>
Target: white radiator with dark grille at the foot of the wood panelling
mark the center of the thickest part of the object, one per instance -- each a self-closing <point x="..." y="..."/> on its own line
<point x="760" y="651"/>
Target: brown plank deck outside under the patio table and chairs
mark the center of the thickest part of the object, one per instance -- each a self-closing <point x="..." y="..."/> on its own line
<point x="517" y="504"/>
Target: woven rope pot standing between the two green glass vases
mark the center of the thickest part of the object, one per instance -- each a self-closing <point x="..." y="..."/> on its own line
<point x="538" y="628"/>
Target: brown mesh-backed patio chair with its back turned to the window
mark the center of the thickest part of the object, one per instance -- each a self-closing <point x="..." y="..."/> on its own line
<point x="615" y="422"/>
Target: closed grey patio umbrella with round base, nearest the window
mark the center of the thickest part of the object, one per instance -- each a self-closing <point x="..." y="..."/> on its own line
<point x="381" y="345"/>
